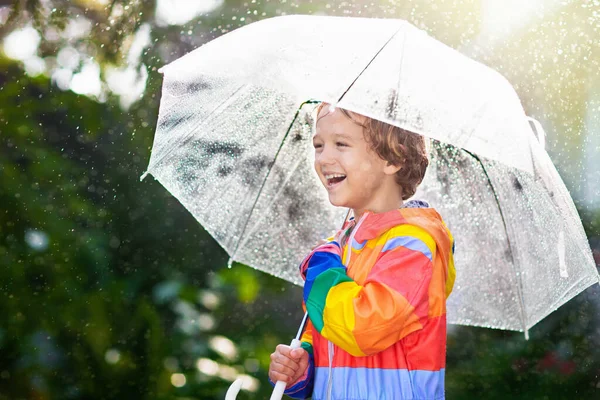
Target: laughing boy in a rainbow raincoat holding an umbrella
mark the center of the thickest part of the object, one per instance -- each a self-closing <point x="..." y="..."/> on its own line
<point x="376" y="292"/>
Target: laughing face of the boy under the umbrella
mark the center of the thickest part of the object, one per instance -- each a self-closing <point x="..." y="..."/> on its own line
<point x="354" y="176"/>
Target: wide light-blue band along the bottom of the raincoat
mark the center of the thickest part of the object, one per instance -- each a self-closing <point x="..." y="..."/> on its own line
<point x="378" y="383"/>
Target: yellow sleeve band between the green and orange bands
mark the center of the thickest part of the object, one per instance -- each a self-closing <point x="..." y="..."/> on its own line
<point x="338" y="317"/>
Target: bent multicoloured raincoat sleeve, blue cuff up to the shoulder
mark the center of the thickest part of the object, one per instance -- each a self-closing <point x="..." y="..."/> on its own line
<point x="393" y="302"/>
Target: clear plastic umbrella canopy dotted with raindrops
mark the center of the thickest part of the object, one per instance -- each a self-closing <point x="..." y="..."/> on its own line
<point x="233" y="145"/>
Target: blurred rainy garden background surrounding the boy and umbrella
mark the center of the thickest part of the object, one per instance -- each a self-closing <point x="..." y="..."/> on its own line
<point x="108" y="286"/>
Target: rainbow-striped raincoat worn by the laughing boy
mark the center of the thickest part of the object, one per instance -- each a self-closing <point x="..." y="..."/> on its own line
<point x="377" y="308"/>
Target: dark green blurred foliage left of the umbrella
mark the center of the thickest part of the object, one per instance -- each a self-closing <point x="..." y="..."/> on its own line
<point x="83" y="315"/>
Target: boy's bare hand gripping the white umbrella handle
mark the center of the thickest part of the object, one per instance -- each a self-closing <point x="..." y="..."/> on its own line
<point x="288" y="365"/>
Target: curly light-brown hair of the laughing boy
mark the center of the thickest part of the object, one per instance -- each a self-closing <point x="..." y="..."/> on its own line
<point x="397" y="146"/>
